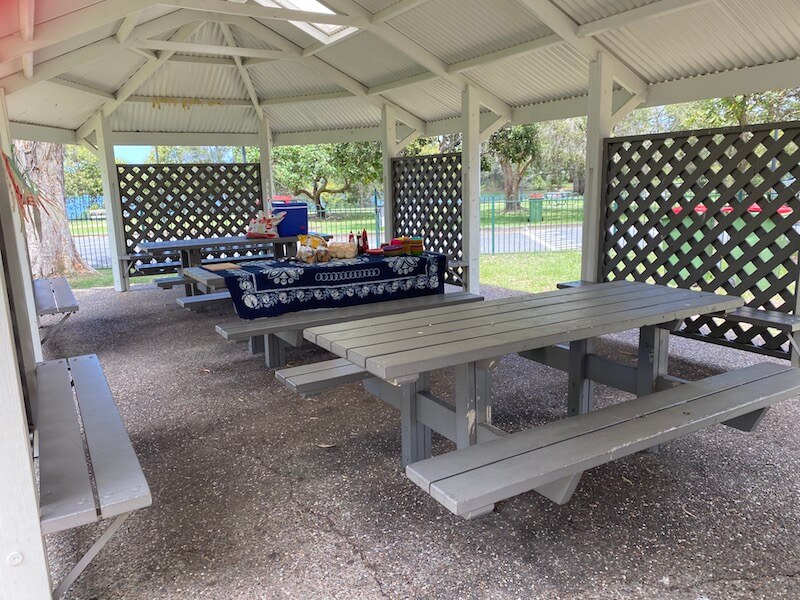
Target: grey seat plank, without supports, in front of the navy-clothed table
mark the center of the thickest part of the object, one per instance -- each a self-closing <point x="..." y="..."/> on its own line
<point x="240" y="331"/>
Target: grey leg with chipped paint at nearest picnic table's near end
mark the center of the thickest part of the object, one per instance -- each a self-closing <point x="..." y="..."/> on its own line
<point x="473" y="399"/>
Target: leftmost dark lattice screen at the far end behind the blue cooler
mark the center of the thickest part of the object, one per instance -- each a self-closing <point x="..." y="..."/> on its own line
<point x="171" y="201"/>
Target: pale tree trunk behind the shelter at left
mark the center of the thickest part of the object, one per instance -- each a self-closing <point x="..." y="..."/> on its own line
<point x="52" y="250"/>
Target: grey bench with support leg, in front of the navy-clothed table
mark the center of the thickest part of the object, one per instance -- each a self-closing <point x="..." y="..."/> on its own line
<point x="272" y="335"/>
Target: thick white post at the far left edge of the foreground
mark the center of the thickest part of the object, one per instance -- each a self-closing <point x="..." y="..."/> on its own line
<point x="23" y="559"/>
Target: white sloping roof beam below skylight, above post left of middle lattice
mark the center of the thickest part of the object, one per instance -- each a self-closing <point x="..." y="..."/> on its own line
<point x="329" y="72"/>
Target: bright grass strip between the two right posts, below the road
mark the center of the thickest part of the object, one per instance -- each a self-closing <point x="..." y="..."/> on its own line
<point x="537" y="272"/>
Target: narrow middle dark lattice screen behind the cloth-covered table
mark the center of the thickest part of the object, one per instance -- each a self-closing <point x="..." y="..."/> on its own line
<point x="427" y="203"/>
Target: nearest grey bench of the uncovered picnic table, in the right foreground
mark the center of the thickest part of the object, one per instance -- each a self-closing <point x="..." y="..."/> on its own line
<point x="469" y="481"/>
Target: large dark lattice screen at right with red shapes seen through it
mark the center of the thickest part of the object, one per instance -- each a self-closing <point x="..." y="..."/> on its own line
<point x="715" y="210"/>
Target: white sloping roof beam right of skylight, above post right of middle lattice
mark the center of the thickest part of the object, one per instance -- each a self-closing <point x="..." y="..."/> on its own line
<point x="424" y="58"/>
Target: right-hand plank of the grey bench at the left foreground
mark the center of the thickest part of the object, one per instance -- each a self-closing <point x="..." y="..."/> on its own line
<point x="121" y="486"/>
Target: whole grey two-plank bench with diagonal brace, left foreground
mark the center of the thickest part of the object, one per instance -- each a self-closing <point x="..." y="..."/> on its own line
<point x="88" y="470"/>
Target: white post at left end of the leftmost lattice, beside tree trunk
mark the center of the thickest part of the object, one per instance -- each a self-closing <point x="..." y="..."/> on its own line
<point x="116" y="232"/>
